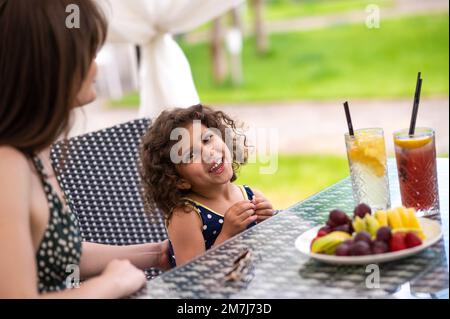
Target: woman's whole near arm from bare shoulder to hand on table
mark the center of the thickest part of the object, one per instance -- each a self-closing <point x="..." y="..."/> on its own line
<point x="18" y="271"/>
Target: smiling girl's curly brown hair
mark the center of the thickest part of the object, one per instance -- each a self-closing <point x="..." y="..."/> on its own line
<point x="158" y="173"/>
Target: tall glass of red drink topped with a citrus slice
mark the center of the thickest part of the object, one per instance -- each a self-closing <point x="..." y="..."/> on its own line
<point x="417" y="172"/>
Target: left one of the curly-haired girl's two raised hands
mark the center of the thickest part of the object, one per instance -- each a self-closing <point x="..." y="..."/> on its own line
<point x="238" y="217"/>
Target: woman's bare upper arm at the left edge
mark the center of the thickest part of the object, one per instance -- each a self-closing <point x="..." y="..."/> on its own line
<point x="18" y="274"/>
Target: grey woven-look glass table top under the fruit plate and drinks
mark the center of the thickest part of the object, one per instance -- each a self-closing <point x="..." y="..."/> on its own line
<point x="278" y="270"/>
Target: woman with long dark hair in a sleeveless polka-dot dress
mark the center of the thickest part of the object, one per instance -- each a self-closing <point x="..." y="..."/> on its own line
<point x="46" y="70"/>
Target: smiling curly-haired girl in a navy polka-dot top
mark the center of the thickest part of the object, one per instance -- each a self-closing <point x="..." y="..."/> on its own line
<point x="188" y="172"/>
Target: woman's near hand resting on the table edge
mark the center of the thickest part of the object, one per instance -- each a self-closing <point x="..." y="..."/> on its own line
<point x="126" y="278"/>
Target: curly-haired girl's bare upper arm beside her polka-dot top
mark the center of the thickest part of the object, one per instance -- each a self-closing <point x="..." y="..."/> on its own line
<point x="185" y="232"/>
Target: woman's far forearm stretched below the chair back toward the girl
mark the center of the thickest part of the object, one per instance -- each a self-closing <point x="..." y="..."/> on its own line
<point x="96" y="256"/>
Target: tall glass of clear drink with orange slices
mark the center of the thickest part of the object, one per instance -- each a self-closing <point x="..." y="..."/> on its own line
<point x="366" y="153"/>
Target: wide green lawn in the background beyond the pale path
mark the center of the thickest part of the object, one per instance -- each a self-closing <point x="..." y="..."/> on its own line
<point x="341" y="62"/>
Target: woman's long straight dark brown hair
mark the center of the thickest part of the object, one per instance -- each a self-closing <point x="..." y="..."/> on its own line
<point x="42" y="67"/>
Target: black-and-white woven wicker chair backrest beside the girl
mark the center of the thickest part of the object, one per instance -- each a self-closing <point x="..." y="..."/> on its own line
<point x="99" y="175"/>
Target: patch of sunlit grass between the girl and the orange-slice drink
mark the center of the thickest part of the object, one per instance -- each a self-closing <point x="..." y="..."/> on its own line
<point x="297" y="177"/>
